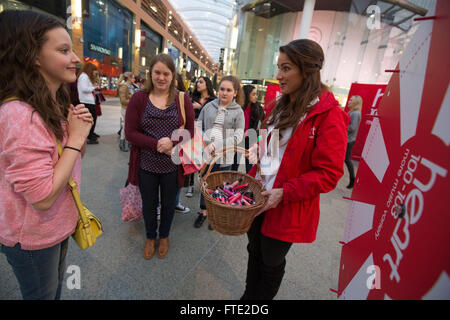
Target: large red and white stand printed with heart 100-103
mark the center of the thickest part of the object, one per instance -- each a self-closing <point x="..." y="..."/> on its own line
<point x="398" y="226"/>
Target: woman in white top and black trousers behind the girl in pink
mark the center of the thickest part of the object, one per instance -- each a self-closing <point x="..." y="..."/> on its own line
<point x="87" y="85"/>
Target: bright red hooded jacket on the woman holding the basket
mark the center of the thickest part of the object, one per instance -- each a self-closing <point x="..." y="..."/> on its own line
<point x="312" y="164"/>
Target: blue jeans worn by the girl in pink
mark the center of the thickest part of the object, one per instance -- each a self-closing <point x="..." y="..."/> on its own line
<point x="40" y="273"/>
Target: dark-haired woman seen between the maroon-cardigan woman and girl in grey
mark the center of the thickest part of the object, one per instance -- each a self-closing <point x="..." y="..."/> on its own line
<point x="203" y="94"/>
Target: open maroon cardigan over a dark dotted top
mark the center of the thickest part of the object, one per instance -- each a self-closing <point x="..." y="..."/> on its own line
<point x="135" y="135"/>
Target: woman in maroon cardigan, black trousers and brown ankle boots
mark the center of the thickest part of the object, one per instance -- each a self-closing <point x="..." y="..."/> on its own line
<point x="153" y="115"/>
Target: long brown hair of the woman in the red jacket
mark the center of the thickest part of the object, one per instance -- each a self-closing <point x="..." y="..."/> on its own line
<point x="308" y="56"/>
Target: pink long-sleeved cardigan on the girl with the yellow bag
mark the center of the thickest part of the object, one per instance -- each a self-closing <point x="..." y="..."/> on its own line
<point x="28" y="155"/>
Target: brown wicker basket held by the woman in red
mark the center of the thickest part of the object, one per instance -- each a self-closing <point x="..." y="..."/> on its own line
<point x="224" y="218"/>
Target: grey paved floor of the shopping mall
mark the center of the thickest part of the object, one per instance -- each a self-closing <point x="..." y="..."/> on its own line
<point x="201" y="264"/>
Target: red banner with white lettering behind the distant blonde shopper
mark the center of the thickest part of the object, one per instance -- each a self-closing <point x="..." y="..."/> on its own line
<point x="371" y="95"/>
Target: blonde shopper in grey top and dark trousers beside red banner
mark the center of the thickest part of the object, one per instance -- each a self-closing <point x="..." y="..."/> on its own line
<point x="355" y="105"/>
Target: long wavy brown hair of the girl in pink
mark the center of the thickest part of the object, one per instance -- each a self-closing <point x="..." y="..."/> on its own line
<point x="23" y="33"/>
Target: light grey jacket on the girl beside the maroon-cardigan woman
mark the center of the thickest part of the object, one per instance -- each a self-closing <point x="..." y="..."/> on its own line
<point x="234" y="123"/>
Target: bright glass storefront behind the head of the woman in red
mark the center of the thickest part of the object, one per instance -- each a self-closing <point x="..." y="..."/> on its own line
<point x="355" y="51"/>
